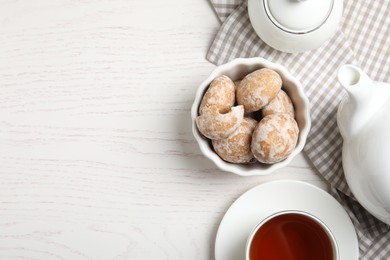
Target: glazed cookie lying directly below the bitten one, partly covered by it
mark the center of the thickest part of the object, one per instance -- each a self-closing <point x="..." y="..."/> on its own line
<point x="237" y="147"/>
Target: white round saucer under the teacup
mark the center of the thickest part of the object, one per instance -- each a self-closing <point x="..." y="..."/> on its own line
<point x="268" y="198"/>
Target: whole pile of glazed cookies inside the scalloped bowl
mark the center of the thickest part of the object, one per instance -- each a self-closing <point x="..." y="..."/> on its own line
<point x="227" y="117"/>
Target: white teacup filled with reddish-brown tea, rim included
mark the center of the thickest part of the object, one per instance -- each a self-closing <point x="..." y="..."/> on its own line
<point x="291" y="235"/>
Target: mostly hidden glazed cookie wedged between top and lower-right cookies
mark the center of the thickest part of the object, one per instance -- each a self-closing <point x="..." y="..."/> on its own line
<point x="280" y="104"/>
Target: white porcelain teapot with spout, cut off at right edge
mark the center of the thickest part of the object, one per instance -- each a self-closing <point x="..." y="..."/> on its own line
<point x="364" y="122"/>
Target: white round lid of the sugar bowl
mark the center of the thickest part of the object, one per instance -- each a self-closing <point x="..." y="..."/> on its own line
<point x="298" y="16"/>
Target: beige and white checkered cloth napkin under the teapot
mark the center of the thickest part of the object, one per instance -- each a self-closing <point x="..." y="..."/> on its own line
<point x="363" y="39"/>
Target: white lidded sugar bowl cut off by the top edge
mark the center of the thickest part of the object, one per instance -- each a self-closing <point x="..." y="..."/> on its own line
<point x="295" y="25"/>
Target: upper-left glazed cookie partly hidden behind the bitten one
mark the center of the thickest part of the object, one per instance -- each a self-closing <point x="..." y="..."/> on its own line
<point x="221" y="93"/>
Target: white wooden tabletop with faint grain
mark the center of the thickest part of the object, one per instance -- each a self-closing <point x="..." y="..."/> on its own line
<point x="97" y="158"/>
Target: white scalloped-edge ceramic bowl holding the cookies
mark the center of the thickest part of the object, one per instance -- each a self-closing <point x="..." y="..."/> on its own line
<point x="236" y="70"/>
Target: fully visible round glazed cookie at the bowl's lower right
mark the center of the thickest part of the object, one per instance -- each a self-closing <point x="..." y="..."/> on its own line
<point x="274" y="138"/>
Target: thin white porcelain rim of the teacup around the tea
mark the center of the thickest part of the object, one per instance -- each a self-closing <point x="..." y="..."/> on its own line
<point x="319" y="222"/>
